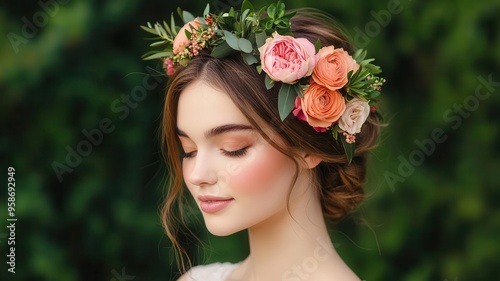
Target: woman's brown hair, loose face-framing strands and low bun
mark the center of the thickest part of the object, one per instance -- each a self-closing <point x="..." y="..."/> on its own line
<point x="339" y="182"/>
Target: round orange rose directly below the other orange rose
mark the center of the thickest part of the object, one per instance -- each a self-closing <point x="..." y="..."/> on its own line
<point x="321" y="106"/>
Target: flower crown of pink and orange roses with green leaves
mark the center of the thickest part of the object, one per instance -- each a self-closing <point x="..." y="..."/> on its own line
<point x="326" y="87"/>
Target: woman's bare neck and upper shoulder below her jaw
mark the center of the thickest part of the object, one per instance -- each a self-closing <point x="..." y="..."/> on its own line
<point x="293" y="245"/>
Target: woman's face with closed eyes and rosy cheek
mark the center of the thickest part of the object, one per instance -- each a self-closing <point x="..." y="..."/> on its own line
<point x="236" y="178"/>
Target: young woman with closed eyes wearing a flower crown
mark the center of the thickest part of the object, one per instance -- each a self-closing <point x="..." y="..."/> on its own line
<point x="252" y="161"/>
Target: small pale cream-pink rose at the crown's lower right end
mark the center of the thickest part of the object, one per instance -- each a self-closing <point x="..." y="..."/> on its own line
<point x="354" y="116"/>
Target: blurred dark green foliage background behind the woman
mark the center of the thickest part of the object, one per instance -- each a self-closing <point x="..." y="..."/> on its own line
<point x="437" y="221"/>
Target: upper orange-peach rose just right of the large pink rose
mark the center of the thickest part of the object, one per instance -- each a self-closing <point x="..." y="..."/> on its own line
<point x="332" y="67"/>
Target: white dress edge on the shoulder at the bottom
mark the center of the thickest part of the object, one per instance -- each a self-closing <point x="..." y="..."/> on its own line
<point x="211" y="272"/>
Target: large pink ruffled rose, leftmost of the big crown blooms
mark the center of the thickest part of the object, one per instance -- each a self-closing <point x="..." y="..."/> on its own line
<point x="287" y="59"/>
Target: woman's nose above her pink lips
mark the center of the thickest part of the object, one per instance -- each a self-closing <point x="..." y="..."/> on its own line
<point x="202" y="172"/>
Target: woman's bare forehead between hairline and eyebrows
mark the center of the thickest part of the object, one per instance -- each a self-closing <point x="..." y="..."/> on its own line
<point x="202" y="107"/>
